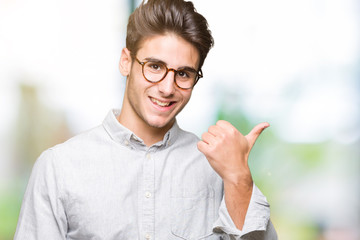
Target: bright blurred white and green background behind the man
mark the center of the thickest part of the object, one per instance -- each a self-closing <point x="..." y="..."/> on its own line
<point x="295" y="64"/>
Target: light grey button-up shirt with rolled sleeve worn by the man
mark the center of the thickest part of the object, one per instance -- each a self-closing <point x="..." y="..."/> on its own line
<point x="107" y="184"/>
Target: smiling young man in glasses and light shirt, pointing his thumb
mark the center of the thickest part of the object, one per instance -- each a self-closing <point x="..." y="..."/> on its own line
<point x="138" y="175"/>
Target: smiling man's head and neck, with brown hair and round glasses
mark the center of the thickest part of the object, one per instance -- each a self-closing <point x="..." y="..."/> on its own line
<point x="167" y="43"/>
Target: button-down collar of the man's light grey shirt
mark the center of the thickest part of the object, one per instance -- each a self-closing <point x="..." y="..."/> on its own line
<point x="124" y="136"/>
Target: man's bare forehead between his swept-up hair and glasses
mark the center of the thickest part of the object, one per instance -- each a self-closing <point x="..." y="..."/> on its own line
<point x="171" y="49"/>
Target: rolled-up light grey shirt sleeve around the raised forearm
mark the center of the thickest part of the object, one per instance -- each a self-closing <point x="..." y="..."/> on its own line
<point x="257" y="223"/>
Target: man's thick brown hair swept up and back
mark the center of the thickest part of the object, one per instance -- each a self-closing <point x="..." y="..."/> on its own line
<point x="157" y="17"/>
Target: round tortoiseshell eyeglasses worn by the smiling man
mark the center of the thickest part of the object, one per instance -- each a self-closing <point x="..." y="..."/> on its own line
<point x="156" y="71"/>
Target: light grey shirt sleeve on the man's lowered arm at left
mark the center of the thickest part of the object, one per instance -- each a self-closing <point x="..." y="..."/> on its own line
<point x="42" y="214"/>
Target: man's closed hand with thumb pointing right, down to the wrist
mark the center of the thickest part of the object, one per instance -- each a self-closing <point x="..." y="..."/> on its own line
<point x="227" y="151"/>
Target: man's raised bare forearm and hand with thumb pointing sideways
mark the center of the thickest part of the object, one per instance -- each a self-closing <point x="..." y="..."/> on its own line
<point x="227" y="151"/>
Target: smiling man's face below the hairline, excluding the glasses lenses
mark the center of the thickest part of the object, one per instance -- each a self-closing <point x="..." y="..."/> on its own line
<point x="156" y="105"/>
